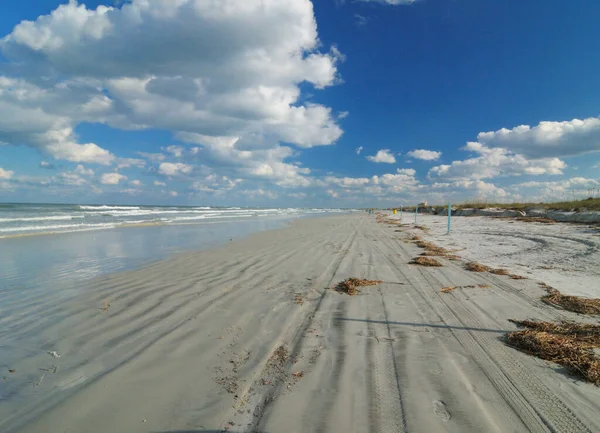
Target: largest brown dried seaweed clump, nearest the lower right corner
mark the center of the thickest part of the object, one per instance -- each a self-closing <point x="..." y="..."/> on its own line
<point x="568" y="344"/>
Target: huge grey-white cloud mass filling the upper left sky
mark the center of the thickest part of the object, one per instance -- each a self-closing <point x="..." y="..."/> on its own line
<point x="104" y="65"/>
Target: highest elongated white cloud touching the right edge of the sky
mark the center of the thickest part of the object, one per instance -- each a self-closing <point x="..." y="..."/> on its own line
<point x="547" y="139"/>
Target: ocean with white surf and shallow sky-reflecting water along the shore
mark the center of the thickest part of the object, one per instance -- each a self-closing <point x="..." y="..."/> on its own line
<point x="51" y="249"/>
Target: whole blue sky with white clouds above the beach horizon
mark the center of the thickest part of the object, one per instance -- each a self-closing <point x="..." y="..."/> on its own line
<point x="330" y="103"/>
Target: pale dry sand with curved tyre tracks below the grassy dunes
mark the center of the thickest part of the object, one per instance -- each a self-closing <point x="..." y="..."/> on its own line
<point x="565" y="256"/>
